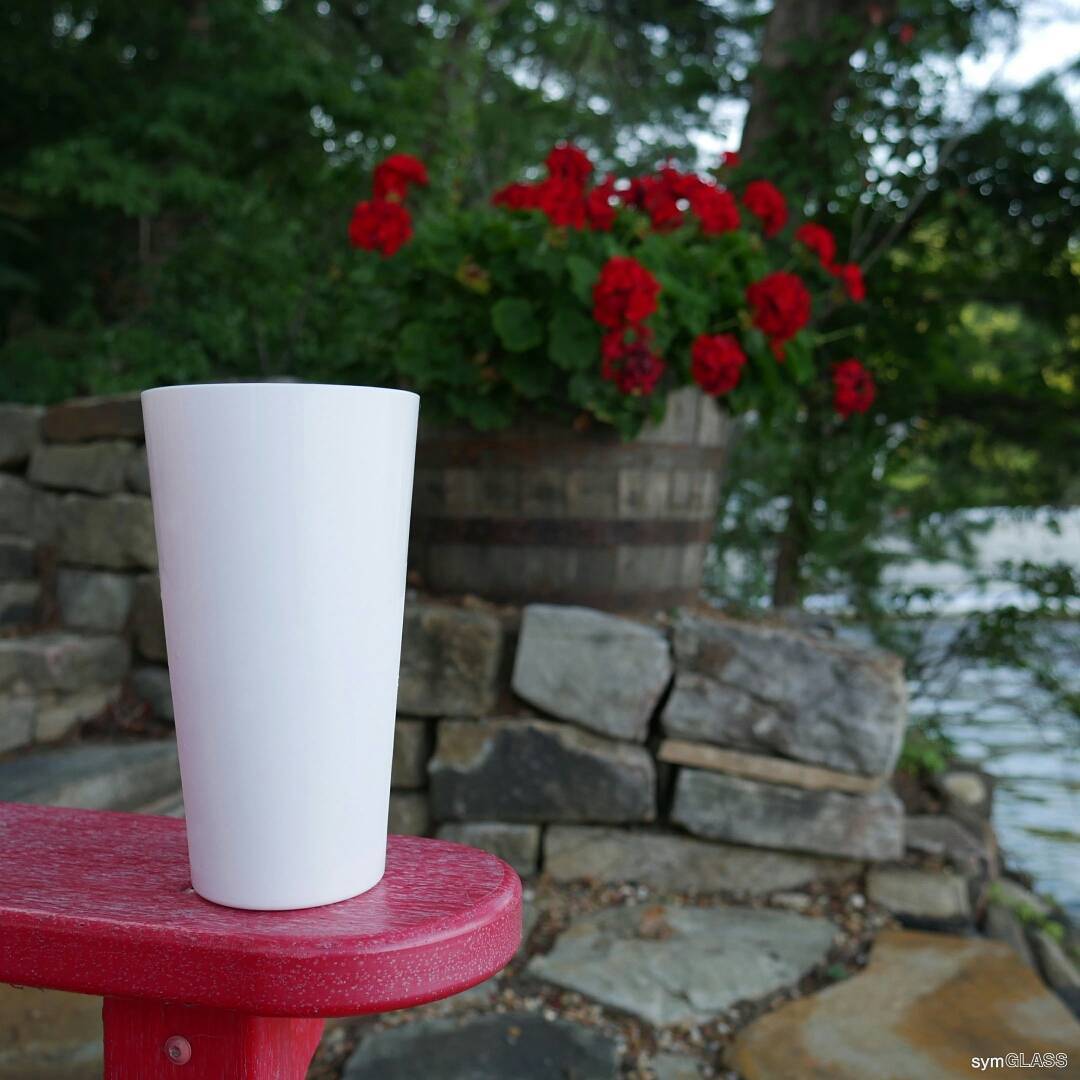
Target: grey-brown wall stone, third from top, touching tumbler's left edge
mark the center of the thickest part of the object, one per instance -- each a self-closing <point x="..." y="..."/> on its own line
<point x="114" y="533"/>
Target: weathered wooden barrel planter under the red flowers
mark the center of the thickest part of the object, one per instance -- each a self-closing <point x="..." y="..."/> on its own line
<point x="545" y="514"/>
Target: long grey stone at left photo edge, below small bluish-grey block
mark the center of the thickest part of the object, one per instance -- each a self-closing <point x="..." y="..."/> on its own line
<point x="61" y="661"/>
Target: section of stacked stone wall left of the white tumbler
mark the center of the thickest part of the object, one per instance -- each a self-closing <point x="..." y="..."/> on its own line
<point x="74" y="502"/>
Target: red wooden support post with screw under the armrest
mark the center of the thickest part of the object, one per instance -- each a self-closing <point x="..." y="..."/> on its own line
<point x="151" y="1041"/>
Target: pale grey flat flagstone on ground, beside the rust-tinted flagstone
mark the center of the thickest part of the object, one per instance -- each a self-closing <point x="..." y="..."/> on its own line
<point x="672" y="965"/>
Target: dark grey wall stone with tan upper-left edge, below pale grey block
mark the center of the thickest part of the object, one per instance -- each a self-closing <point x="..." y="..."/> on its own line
<point x="537" y="771"/>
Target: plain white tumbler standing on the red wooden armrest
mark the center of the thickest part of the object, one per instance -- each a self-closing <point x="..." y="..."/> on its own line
<point x="282" y="517"/>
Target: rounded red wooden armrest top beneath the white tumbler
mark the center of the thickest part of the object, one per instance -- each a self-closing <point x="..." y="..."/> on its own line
<point x="102" y="903"/>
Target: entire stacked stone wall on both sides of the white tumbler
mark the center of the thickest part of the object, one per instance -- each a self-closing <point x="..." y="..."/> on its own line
<point x="587" y="744"/>
